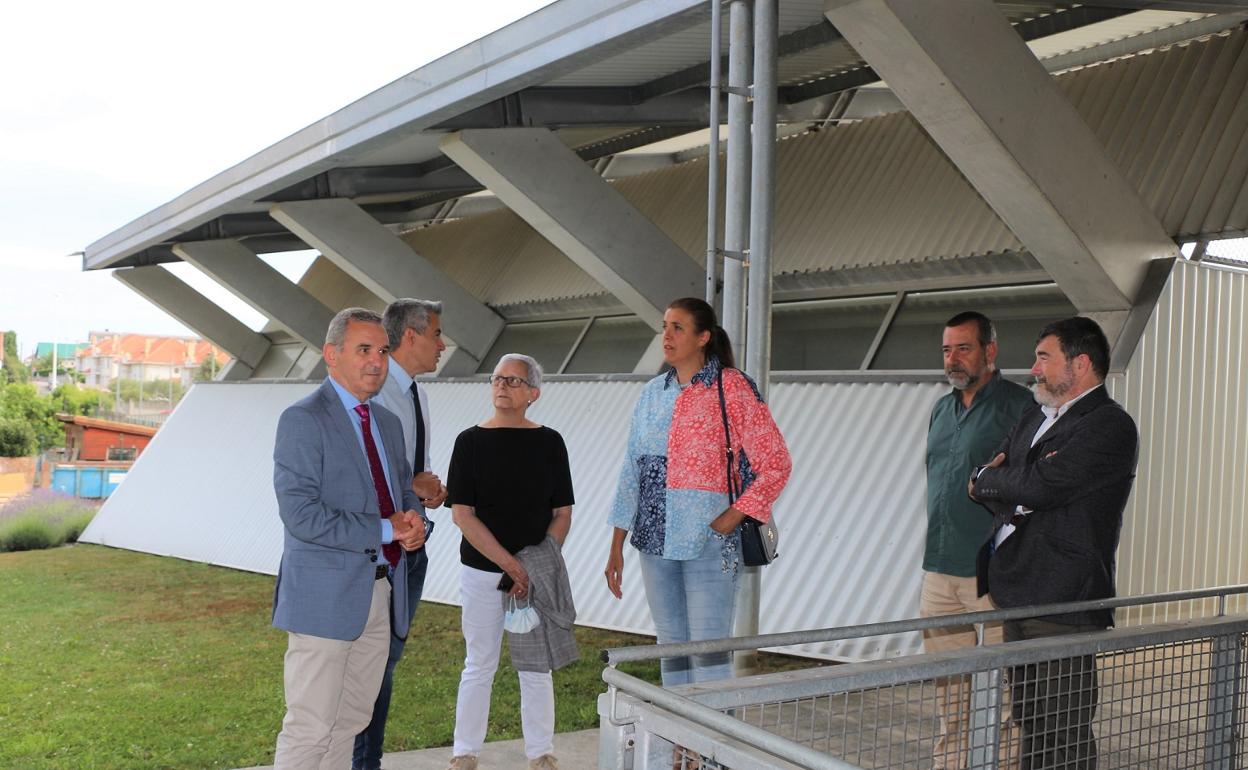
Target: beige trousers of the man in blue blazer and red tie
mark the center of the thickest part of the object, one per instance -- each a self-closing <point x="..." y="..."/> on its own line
<point x="331" y="687"/>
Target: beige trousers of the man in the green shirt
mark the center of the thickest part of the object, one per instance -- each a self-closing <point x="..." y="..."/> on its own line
<point x="948" y="596"/>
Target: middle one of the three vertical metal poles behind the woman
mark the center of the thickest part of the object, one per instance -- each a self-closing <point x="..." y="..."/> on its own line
<point x="737" y="189"/>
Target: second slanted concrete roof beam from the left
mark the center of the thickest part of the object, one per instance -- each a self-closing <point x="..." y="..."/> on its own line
<point x="238" y="268"/>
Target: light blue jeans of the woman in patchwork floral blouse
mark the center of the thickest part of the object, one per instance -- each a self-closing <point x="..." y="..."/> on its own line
<point x="692" y="601"/>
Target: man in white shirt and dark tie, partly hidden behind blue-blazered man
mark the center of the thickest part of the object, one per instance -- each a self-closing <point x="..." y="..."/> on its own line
<point x="415" y="333"/>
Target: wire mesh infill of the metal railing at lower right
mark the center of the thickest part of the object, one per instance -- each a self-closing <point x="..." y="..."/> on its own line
<point x="1154" y="707"/>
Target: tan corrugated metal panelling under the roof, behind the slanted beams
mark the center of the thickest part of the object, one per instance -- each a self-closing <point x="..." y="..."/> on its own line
<point x="880" y="193"/>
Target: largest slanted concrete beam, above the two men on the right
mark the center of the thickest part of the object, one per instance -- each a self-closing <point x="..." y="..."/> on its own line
<point x="973" y="84"/>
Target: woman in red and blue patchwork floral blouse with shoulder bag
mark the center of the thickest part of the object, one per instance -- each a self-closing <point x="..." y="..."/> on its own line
<point x="673" y="489"/>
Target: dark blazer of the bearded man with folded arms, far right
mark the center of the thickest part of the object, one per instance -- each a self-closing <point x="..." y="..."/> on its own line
<point x="1076" y="481"/>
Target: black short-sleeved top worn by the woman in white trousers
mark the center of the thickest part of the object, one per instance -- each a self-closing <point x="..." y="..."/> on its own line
<point x="514" y="479"/>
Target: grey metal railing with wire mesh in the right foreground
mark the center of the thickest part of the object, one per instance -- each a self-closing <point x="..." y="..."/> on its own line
<point x="1164" y="696"/>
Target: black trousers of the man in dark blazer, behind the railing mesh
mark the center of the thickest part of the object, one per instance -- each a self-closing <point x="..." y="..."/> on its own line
<point x="1054" y="702"/>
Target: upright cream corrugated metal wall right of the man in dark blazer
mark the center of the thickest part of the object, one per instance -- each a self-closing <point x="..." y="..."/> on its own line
<point x="1187" y="522"/>
